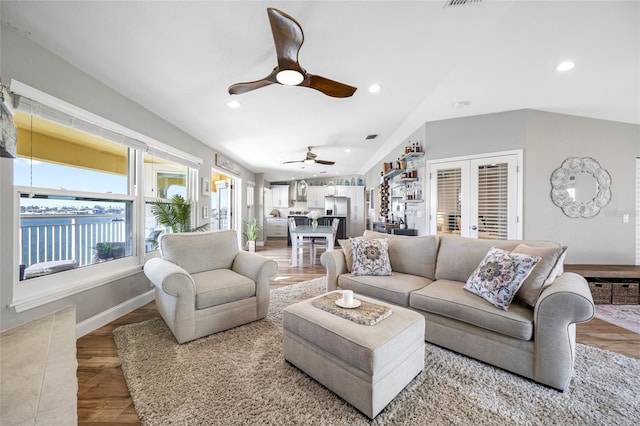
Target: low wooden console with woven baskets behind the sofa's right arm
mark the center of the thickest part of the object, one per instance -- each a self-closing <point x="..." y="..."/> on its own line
<point x="611" y="284"/>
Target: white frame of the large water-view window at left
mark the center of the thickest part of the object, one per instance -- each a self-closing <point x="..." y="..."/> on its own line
<point x="46" y="289"/>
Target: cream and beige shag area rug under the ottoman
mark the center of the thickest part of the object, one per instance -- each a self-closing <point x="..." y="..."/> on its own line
<point x="239" y="377"/>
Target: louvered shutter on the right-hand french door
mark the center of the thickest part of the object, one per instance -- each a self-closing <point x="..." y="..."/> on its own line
<point x="493" y="206"/>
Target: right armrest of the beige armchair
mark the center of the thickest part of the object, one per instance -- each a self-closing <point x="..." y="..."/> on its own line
<point x="260" y="269"/>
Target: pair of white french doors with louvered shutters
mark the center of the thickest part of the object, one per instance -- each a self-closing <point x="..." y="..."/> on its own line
<point x="476" y="197"/>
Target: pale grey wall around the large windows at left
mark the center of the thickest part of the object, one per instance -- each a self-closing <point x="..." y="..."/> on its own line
<point x="33" y="65"/>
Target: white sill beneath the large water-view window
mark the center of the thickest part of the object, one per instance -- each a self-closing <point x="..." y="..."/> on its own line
<point x="33" y="299"/>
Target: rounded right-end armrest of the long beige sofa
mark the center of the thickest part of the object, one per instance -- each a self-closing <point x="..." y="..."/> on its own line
<point x="565" y="302"/>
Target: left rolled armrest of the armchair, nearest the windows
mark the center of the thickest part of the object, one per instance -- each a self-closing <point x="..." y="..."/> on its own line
<point x="170" y="278"/>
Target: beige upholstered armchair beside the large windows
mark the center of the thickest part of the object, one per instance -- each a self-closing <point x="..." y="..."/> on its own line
<point x="206" y="284"/>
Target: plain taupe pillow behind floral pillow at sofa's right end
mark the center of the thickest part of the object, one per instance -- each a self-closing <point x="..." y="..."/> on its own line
<point x="542" y="275"/>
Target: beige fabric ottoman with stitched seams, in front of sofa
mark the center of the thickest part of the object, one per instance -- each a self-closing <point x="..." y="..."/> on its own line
<point x="366" y="365"/>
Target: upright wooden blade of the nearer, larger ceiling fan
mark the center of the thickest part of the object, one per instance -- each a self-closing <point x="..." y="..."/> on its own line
<point x="288" y="38"/>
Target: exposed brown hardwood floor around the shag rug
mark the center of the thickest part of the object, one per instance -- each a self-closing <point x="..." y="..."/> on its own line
<point x="103" y="397"/>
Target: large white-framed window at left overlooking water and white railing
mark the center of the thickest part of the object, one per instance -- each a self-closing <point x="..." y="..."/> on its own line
<point x="82" y="185"/>
